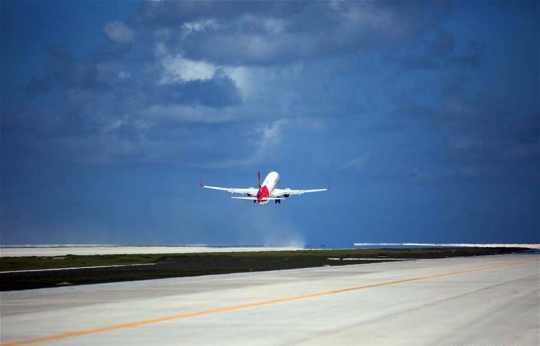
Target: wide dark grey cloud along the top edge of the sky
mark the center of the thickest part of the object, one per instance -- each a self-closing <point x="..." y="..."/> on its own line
<point x="269" y="33"/>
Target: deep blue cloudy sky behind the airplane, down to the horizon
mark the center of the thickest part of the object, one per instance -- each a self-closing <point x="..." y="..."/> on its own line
<point x="423" y="116"/>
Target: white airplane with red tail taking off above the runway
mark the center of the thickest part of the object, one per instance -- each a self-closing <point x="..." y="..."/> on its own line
<point x="266" y="192"/>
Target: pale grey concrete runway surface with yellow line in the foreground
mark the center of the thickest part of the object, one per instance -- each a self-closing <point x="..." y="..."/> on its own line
<point x="492" y="300"/>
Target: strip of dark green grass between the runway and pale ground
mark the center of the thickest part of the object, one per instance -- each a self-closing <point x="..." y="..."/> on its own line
<point x="178" y="265"/>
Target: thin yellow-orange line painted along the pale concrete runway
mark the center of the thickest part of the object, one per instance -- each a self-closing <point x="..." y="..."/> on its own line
<point x="249" y="305"/>
